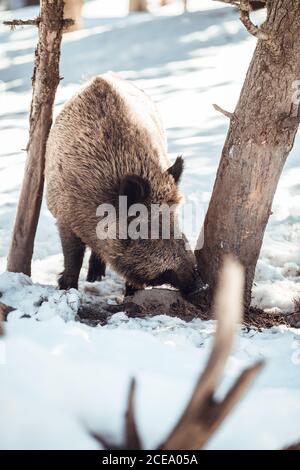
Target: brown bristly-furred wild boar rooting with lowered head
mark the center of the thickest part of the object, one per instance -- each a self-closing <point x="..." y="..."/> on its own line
<point x="106" y="133"/>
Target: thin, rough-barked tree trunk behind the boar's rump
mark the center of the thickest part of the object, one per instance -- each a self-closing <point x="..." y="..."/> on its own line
<point x="45" y="81"/>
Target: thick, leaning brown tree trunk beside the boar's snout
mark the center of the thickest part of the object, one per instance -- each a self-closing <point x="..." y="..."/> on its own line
<point x="261" y="135"/>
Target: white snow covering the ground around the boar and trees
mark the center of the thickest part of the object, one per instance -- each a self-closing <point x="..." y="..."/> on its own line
<point x="58" y="377"/>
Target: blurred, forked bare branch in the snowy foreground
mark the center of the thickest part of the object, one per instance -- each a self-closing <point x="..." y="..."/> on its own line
<point x="203" y="414"/>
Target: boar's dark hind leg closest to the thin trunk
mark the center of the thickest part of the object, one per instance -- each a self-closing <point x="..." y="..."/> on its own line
<point x="73" y="249"/>
